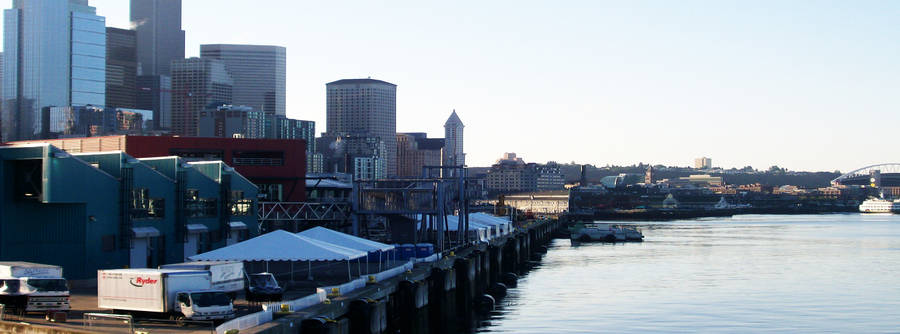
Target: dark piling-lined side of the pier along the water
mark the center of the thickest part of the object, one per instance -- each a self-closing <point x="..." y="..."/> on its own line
<point x="443" y="296"/>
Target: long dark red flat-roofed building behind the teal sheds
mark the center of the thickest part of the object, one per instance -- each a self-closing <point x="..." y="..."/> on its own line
<point x="277" y="167"/>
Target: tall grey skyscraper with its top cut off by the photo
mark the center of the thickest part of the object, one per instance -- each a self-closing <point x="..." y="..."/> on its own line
<point x="160" y="39"/>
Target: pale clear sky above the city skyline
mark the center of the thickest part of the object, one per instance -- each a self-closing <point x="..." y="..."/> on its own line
<point x="805" y="85"/>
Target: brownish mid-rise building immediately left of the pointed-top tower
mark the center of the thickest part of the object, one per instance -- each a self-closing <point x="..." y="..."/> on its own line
<point x="415" y="150"/>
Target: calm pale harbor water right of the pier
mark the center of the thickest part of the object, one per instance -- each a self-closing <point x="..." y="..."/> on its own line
<point x="754" y="273"/>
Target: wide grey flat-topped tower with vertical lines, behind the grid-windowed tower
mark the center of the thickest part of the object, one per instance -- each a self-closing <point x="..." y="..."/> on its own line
<point x="258" y="72"/>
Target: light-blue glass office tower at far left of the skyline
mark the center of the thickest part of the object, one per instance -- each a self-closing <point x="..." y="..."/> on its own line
<point x="55" y="55"/>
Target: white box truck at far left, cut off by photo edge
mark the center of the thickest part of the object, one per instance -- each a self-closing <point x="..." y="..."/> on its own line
<point x="33" y="288"/>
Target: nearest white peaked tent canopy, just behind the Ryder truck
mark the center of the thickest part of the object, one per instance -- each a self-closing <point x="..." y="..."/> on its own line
<point x="280" y="245"/>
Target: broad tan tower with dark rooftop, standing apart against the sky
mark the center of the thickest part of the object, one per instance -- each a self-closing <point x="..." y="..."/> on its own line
<point x="364" y="108"/>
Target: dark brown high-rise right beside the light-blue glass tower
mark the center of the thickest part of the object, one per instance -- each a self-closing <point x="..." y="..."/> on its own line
<point x="121" y="68"/>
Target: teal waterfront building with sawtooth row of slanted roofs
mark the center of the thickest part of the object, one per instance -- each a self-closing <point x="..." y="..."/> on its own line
<point x="140" y="212"/>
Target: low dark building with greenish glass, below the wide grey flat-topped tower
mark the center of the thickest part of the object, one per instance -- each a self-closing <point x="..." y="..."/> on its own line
<point x="228" y="121"/>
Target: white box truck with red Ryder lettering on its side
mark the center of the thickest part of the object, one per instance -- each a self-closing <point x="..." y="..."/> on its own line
<point x="176" y="294"/>
